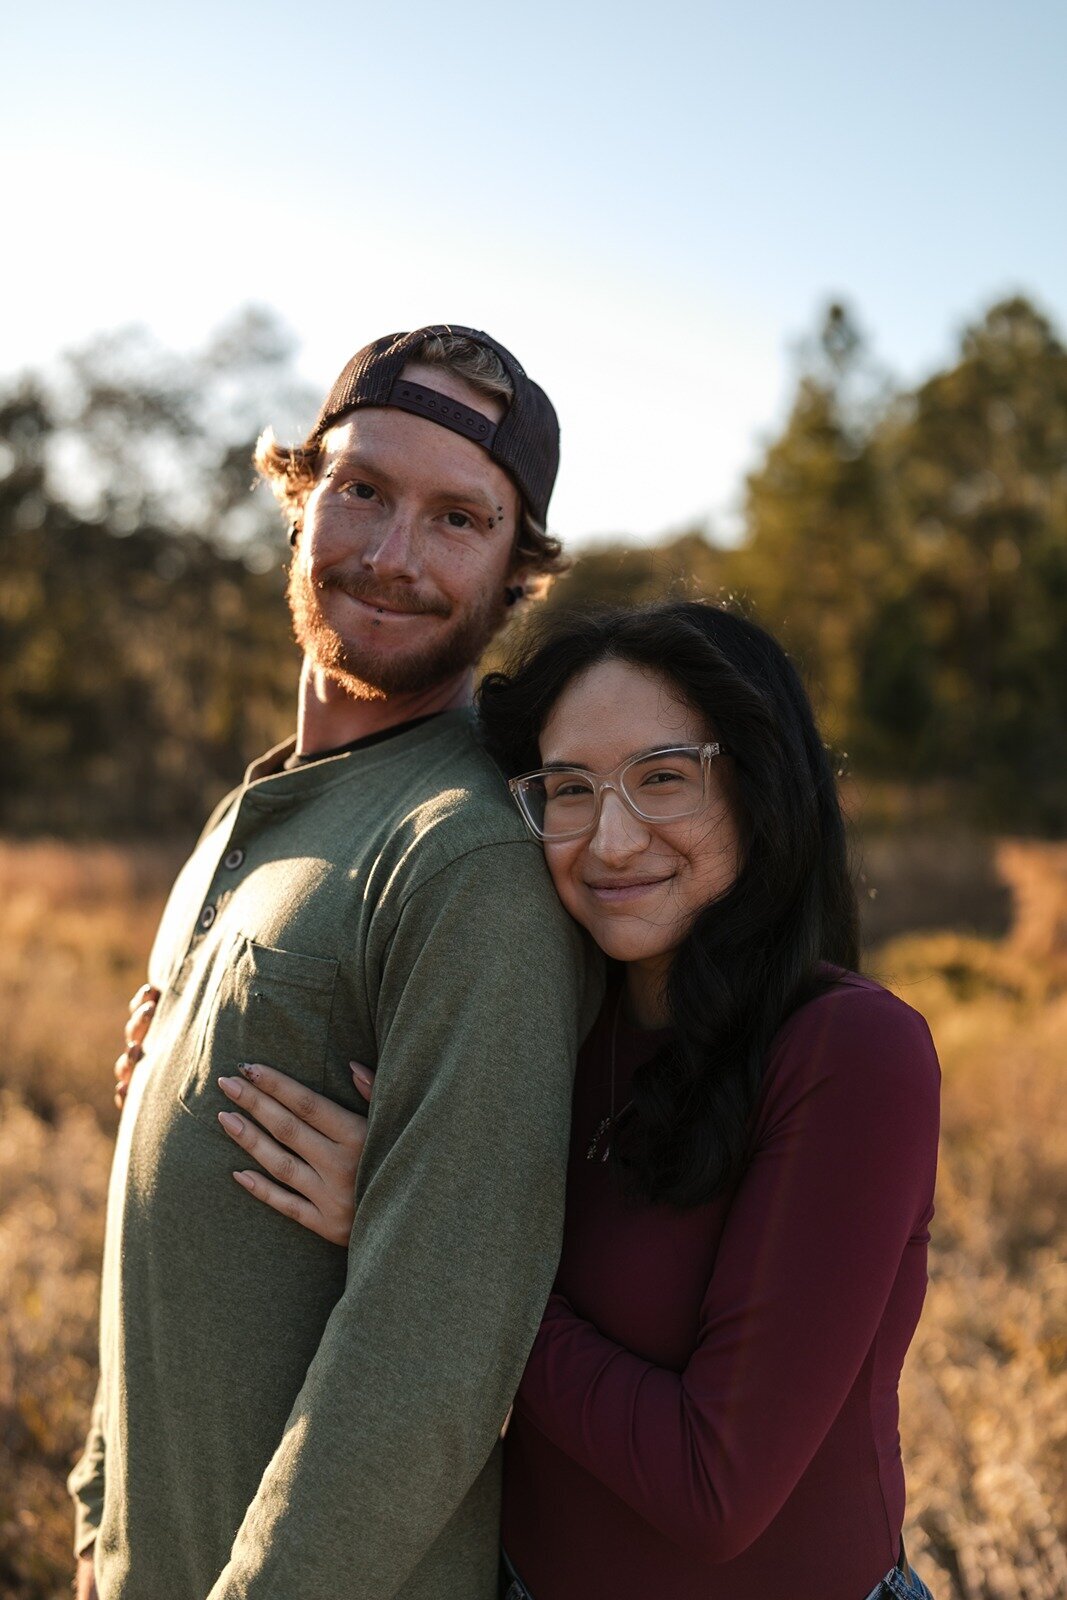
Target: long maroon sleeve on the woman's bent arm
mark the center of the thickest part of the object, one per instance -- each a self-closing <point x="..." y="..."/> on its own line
<point x="841" y="1180"/>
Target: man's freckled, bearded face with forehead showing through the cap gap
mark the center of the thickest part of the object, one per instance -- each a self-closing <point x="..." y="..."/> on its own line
<point x="398" y="580"/>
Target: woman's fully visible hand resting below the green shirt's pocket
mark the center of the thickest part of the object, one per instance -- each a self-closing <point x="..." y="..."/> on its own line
<point x="310" y="1143"/>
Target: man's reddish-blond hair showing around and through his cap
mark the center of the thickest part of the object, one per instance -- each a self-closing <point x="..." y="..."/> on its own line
<point x="294" y="471"/>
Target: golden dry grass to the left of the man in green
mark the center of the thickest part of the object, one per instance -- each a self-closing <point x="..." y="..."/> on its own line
<point x="78" y="930"/>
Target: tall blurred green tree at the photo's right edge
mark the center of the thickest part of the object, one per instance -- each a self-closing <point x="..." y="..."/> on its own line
<point x="964" y="668"/>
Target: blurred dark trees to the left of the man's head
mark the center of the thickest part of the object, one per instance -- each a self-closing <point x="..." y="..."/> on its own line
<point x="145" y="644"/>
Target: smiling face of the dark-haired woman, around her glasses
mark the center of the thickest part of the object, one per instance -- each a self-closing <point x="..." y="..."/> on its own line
<point x="637" y="886"/>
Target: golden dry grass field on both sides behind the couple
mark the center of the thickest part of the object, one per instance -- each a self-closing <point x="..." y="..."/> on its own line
<point x="985" y="1407"/>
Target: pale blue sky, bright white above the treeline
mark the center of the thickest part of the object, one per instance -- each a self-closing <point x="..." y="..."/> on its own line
<point x="650" y="206"/>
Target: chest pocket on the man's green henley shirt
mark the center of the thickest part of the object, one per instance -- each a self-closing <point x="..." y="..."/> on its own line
<point x="266" y="1006"/>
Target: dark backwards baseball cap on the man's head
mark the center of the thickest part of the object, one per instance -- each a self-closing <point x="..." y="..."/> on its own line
<point x="526" y="442"/>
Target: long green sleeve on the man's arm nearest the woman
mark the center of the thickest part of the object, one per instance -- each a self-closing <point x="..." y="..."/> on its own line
<point x="484" y="996"/>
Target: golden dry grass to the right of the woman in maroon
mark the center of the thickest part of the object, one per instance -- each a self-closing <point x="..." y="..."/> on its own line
<point x="985" y="1396"/>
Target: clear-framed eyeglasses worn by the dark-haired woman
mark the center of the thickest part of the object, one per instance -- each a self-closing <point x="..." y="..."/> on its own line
<point x="658" y="786"/>
